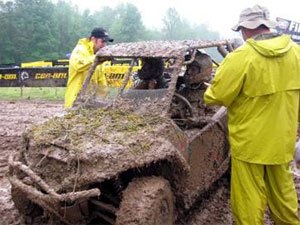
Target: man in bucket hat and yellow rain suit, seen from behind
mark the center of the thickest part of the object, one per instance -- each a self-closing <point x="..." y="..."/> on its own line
<point x="260" y="84"/>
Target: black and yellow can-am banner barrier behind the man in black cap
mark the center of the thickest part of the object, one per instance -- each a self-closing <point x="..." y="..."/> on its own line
<point x="42" y="74"/>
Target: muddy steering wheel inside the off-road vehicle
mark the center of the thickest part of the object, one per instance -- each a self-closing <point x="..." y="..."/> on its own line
<point x="181" y="109"/>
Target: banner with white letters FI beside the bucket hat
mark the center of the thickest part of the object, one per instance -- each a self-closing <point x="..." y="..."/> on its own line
<point x="289" y="27"/>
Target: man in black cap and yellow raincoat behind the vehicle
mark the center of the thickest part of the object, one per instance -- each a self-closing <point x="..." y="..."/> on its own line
<point x="80" y="61"/>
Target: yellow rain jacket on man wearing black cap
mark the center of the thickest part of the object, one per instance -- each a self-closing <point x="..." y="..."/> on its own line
<point x="81" y="59"/>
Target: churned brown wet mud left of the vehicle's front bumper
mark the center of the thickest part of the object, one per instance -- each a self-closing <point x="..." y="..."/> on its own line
<point x="15" y="118"/>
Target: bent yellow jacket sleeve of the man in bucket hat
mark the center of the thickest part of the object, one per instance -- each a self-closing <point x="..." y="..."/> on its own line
<point x="227" y="83"/>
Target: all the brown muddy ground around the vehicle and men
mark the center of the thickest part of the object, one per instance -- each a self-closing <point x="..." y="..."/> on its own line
<point x="15" y="117"/>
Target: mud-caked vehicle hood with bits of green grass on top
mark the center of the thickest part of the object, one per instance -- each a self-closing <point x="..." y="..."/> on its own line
<point x="87" y="146"/>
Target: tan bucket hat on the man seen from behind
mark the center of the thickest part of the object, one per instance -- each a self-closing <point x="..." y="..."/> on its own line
<point x="252" y="18"/>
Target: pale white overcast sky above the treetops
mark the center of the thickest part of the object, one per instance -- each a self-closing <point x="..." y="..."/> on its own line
<point x="218" y="15"/>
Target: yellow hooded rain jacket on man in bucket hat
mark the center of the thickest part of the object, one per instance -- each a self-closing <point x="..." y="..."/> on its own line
<point x="259" y="83"/>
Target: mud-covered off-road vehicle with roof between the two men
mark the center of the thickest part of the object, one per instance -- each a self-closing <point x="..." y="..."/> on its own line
<point x="128" y="156"/>
